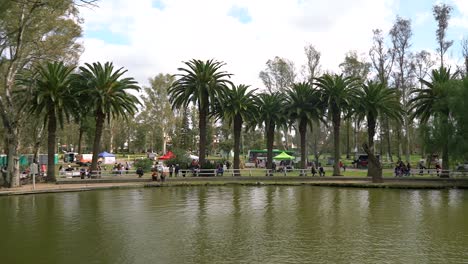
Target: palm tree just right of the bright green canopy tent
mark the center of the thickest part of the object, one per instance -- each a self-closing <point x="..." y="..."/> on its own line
<point x="304" y="106"/>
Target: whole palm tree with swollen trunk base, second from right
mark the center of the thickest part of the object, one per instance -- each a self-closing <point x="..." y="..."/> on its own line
<point x="373" y="101"/>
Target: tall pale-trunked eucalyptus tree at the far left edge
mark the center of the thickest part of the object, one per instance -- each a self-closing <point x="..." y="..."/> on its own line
<point x="30" y="32"/>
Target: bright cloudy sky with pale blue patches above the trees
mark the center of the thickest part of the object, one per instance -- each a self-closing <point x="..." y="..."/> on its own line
<point x="149" y="37"/>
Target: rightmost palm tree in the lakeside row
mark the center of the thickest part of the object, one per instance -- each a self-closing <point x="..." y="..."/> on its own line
<point x="433" y="101"/>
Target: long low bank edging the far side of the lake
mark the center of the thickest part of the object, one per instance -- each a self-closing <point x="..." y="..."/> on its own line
<point x="88" y="185"/>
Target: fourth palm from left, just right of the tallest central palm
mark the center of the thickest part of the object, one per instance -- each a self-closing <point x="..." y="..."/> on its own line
<point x="236" y="105"/>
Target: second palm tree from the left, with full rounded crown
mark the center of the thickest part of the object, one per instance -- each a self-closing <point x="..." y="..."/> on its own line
<point x="108" y="93"/>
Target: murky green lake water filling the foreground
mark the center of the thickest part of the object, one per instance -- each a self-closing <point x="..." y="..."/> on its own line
<point x="283" y="224"/>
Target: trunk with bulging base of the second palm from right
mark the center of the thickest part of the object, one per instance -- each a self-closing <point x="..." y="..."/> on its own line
<point x="374" y="167"/>
